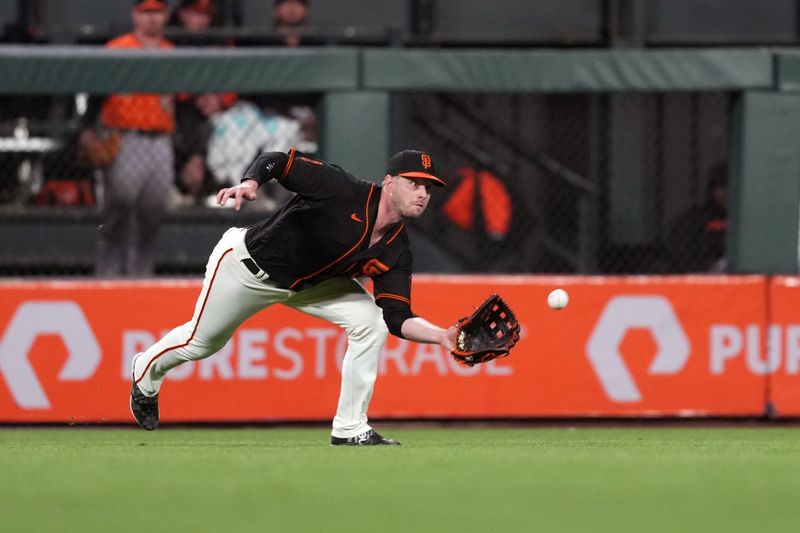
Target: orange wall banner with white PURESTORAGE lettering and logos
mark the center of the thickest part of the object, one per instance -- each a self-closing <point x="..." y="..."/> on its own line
<point x="624" y="346"/>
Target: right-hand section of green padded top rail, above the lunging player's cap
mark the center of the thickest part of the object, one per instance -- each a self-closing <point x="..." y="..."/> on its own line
<point x="566" y="70"/>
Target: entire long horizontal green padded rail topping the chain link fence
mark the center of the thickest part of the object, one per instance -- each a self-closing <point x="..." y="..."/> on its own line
<point x="66" y="70"/>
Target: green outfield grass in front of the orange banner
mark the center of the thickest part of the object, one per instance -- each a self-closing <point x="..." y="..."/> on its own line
<point x="560" y="479"/>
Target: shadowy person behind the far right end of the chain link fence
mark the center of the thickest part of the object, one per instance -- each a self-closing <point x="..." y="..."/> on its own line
<point x="698" y="238"/>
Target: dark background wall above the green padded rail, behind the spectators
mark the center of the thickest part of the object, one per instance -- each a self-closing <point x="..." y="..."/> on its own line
<point x="452" y="22"/>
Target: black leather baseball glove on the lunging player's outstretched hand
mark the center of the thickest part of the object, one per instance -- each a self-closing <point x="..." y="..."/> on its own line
<point x="488" y="333"/>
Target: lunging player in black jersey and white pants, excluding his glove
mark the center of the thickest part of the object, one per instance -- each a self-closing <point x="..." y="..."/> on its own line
<point x="309" y="256"/>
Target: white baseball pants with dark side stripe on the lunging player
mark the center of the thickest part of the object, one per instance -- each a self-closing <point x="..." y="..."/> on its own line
<point x="231" y="294"/>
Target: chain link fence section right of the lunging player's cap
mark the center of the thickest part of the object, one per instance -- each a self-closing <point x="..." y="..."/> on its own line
<point x="576" y="183"/>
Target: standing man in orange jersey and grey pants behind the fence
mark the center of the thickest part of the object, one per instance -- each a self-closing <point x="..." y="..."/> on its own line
<point x="139" y="178"/>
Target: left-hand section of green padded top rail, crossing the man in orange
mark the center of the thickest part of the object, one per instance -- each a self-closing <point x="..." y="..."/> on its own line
<point x="68" y="70"/>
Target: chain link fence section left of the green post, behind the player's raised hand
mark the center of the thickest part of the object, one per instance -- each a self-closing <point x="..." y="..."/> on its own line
<point x="78" y="198"/>
